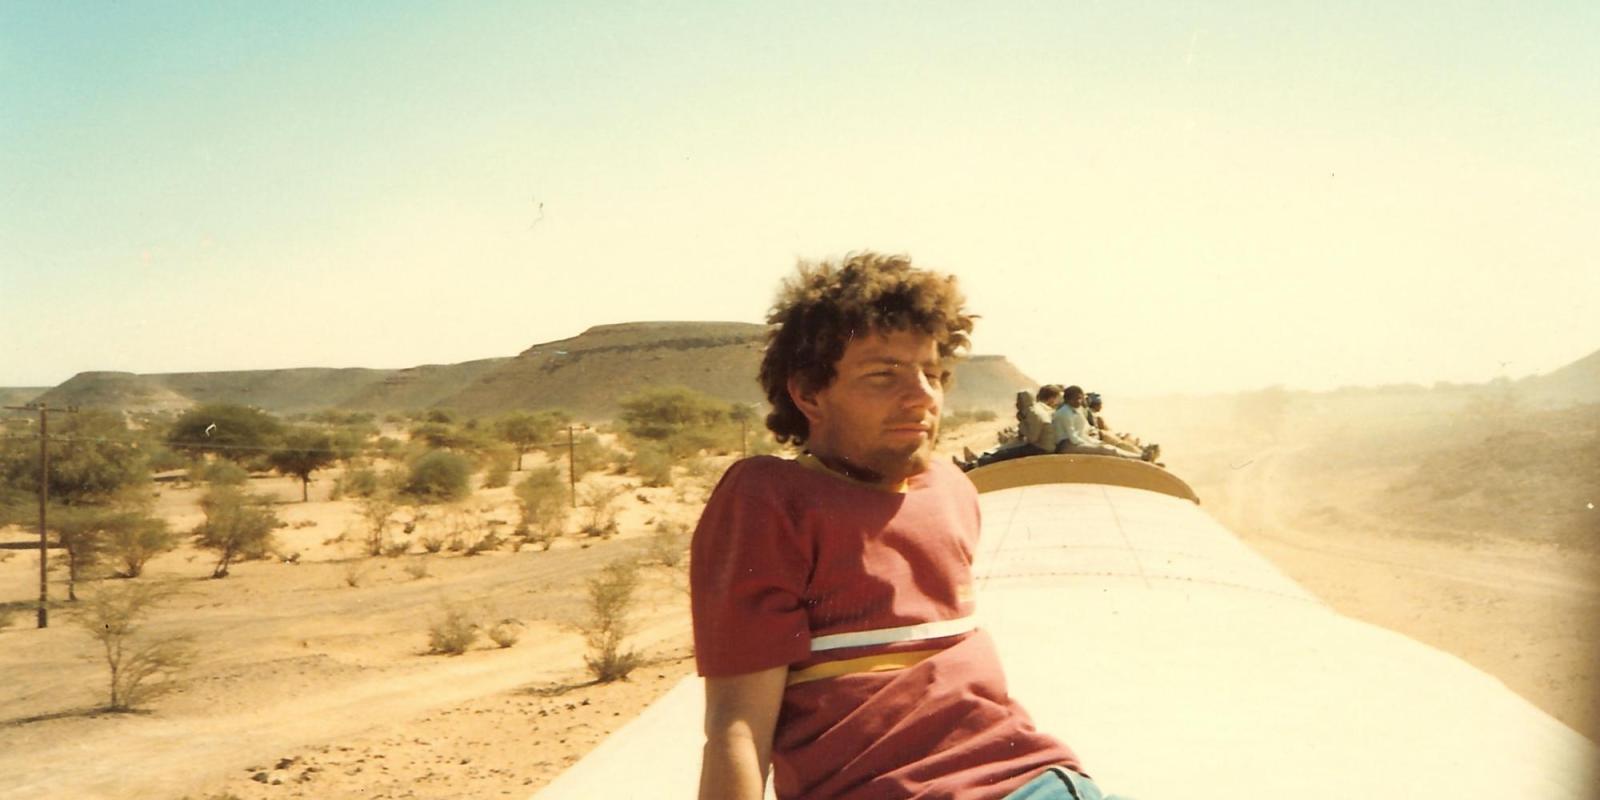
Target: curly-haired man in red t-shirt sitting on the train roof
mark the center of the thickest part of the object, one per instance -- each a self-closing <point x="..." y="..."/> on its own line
<point x="833" y="594"/>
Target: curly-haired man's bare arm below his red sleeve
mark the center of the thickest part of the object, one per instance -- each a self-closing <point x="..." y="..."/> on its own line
<point x="742" y="714"/>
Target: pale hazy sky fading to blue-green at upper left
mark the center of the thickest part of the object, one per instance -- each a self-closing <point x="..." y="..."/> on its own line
<point x="1138" y="198"/>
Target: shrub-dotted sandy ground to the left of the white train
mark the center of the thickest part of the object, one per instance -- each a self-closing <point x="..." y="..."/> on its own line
<point x="314" y="678"/>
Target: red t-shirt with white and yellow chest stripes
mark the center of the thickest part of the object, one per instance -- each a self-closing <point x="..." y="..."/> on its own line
<point x="866" y="598"/>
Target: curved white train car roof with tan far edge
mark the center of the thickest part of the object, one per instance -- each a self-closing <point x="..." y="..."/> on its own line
<point x="1180" y="665"/>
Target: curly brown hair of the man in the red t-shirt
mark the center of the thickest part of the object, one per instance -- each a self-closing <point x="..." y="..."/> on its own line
<point x="830" y="303"/>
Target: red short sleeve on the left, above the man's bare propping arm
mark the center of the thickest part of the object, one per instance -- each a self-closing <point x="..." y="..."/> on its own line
<point x="748" y="575"/>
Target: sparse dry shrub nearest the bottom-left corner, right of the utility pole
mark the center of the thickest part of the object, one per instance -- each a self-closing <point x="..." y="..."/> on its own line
<point x="140" y="668"/>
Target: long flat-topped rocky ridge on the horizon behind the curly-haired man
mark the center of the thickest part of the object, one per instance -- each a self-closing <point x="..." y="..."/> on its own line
<point x="585" y="375"/>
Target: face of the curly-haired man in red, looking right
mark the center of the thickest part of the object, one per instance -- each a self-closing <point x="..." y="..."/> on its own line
<point x="881" y="415"/>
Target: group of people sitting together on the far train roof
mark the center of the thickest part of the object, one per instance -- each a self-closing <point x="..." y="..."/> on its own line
<point x="1063" y="420"/>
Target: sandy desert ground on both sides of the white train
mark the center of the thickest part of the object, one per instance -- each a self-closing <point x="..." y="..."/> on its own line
<point x="314" y="681"/>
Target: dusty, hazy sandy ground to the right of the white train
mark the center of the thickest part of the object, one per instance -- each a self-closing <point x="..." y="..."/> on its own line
<point x="1502" y="591"/>
